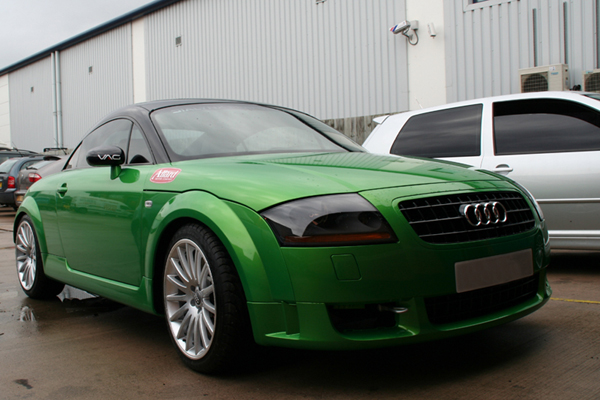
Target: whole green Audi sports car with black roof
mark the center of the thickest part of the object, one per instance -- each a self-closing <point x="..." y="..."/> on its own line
<point x="247" y="223"/>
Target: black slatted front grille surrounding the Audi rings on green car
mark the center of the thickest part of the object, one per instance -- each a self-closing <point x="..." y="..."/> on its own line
<point x="438" y="219"/>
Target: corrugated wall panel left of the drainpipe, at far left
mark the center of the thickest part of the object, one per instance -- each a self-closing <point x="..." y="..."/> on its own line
<point x="31" y="117"/>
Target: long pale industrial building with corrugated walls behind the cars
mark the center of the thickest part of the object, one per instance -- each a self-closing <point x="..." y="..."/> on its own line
<point x="334" y="59"/>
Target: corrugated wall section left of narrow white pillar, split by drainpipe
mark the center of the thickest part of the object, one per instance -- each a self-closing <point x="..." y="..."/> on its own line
<point x="86" y="96"/>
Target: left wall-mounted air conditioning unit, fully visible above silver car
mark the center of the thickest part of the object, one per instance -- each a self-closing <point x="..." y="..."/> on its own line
<point x="546" y="78"/>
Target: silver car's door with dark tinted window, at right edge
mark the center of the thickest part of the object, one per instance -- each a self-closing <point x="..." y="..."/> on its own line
<point x="552" y="147"/>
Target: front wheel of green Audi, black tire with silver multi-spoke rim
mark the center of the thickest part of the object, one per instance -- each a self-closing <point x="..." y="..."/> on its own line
<point x="205" y="306"/>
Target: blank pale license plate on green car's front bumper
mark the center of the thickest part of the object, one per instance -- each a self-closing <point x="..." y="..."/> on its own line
<point x="491" y="271"/>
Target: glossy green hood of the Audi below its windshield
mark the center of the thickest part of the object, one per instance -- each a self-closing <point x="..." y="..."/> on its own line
<point x="262" y="181"/>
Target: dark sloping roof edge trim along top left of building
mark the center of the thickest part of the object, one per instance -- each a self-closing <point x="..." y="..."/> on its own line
<point x="113" y="23"/>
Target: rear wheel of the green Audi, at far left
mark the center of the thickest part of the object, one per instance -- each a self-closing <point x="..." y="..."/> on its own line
<point x="30" y="268"/>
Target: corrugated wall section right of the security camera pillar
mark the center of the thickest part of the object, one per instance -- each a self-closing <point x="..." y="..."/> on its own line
<point x="487" y="43"/>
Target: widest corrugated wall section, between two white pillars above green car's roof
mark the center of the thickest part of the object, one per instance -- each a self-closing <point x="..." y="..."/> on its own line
<point x="333" y="60"/>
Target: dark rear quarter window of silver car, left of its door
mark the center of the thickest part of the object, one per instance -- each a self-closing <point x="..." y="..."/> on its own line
<point x="446" y="133"/>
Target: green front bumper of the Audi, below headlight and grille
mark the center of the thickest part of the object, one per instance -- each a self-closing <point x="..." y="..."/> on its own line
<point x="351" y="297"/>
